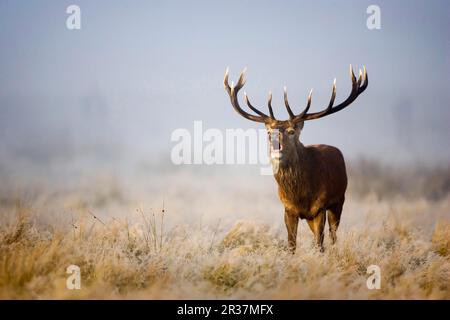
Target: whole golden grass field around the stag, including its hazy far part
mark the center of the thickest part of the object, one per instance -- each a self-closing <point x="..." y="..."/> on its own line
<point x="201" y="235"/>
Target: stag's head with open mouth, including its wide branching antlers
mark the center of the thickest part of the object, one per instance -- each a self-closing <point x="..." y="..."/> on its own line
<point x="284" y="135"/>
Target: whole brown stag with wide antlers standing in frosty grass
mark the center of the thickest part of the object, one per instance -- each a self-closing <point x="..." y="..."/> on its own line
<point x="312" y="179"/>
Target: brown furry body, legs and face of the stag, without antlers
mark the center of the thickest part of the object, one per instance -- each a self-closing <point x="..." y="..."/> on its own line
<point x="311" y="181"/>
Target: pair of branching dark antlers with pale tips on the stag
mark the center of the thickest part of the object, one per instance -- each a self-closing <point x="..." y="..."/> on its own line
<point x="358" y="86"/>
